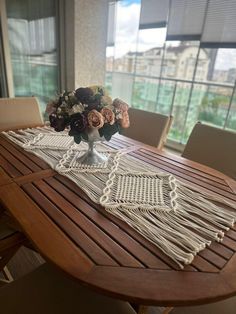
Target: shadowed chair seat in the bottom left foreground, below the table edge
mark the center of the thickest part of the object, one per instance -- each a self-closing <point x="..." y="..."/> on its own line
<point x="46" y="290"/>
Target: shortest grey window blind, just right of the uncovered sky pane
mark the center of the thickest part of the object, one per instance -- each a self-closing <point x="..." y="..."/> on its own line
<point x="154" y="13"/>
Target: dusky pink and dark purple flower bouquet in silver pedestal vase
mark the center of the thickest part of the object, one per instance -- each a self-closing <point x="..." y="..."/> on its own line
<point x="89" y="114"/>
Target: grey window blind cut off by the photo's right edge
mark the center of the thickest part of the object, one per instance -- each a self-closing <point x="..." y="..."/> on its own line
<point x="220" y="25"/>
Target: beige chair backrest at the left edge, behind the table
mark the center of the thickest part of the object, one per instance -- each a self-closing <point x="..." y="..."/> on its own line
<point x="19" y="112"/>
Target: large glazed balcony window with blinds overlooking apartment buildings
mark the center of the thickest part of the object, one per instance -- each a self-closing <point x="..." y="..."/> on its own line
<point x="166" y="58"/>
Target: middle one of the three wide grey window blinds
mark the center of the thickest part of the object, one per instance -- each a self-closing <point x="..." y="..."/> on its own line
<point x="186" y="18"/>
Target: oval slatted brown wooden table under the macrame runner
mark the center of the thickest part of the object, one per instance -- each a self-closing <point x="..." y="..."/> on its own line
<point x="101" y="251"/>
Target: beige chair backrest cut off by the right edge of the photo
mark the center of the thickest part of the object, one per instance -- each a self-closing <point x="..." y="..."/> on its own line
<point x="212" y="147"/>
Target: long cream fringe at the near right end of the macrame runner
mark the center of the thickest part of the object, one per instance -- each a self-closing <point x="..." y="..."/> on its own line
<point x="183" y="232"/>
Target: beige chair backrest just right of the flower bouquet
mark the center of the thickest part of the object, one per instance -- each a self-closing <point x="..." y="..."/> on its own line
<point x="148" y="127"/>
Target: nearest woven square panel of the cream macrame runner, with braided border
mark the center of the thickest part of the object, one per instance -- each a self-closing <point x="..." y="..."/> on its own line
<point x="143" y="191"/>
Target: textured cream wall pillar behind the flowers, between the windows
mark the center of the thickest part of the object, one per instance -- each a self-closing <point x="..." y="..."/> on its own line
<point x="85" y="32"/>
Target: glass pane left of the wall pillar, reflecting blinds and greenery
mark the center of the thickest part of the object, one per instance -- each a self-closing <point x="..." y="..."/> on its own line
<point x="32" y="38"/>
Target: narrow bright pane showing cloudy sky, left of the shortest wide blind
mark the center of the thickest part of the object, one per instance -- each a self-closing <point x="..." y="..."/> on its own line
<point x="127" y="24"/>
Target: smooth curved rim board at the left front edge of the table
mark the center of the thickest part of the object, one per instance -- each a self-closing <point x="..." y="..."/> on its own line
<point x="45" y="235"/>
